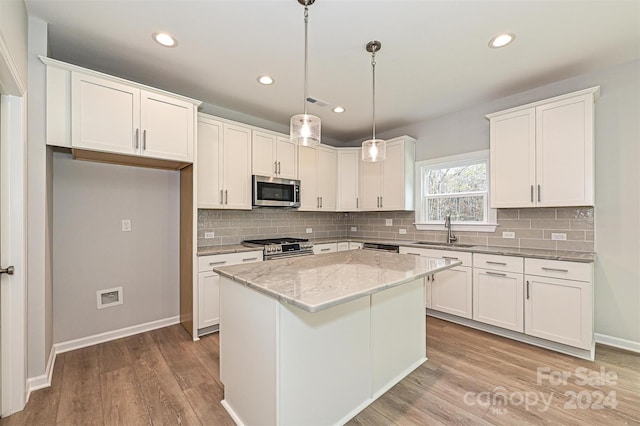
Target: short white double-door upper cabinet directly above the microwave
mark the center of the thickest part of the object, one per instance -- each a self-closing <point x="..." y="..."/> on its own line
<point x="274" y="155"/>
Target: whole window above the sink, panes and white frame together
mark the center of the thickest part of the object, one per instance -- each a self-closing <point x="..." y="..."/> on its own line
<point x="457" y="185"/>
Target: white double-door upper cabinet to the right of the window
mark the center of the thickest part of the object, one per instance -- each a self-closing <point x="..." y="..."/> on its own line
<point x="542" y="153"/>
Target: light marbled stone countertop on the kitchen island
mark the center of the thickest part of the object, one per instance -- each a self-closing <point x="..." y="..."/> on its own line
<point x="318" y="282"/>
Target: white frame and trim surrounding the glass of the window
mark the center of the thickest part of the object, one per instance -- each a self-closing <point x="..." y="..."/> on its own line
<point x="423" y="225"/>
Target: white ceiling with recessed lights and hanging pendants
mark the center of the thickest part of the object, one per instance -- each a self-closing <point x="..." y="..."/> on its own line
<point x="435" y="57"/>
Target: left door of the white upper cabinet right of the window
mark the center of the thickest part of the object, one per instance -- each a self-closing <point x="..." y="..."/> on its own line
<point x="512" y="159"/>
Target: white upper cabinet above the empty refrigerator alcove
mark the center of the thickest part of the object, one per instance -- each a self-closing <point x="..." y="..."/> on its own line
<point x="98" y="115"/>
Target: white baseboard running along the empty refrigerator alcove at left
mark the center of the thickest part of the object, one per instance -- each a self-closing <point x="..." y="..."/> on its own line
<point x="43" y="381"/>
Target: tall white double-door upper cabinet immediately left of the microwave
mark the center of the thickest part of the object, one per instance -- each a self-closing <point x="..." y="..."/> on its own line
<point x="223" y="164"/>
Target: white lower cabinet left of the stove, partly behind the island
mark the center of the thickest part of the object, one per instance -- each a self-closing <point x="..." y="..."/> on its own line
<point x="209" y="284"/>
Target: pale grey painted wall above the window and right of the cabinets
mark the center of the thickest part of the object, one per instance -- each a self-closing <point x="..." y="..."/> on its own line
<point x="617" y="270"/>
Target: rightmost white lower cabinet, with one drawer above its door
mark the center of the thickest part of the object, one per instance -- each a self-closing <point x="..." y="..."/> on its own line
<point x="559" y="309"/>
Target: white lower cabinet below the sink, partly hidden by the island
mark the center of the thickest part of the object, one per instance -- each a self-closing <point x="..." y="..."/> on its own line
<point x="448" y="291"/>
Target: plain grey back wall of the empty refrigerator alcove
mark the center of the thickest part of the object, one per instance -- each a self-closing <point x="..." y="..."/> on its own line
<point x="90" y="252"/>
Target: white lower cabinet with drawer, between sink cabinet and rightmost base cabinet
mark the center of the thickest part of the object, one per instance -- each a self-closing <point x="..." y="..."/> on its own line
<point x="498" y="291"/>
